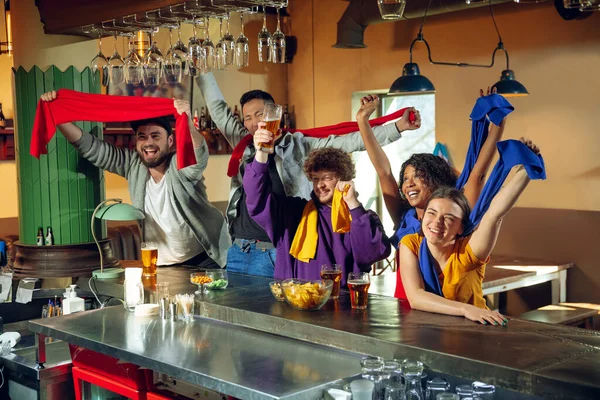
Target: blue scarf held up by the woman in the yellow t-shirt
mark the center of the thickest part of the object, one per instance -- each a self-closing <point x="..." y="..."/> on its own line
<point x="512" y="153"/>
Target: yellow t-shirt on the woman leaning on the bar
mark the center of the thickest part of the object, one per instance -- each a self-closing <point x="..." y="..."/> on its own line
<point x="463" y="273"/>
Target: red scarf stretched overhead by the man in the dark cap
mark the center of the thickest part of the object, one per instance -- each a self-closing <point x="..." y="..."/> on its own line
<point x="76" y="106"/>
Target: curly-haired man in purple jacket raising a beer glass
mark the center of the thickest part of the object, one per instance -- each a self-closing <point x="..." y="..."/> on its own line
<point x="328" y="169"/>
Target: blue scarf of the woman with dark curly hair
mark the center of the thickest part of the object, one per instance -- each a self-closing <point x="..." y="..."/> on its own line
<point x="494" y="106"/>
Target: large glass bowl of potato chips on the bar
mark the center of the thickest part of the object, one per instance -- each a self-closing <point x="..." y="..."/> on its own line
<point x="306" y="295"/>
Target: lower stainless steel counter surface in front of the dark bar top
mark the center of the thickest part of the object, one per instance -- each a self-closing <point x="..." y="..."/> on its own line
<point x="236" y="361"/>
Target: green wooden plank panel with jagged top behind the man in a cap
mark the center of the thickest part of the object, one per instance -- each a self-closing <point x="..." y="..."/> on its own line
<point x="60" y="189"/>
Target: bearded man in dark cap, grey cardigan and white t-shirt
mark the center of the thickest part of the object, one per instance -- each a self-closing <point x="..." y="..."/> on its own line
<point x="184" y="226"/>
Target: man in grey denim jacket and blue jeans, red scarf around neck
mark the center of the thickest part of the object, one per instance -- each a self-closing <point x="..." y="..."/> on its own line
<point x="252" y="251"/>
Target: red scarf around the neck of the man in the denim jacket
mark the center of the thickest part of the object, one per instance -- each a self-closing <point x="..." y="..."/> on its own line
<point x="342" y="128"/>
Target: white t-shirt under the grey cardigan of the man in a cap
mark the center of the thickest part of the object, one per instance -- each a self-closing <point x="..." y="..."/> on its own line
<point x="165" y="225"/>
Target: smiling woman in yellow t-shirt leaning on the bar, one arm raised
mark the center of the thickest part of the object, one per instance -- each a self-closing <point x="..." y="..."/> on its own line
<point x="459" y="261"/>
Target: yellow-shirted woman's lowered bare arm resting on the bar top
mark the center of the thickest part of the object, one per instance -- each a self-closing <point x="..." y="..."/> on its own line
<point x="420" y="299"/>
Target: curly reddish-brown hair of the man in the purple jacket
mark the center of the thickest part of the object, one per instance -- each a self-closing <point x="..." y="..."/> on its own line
<point x="329" y="159"/>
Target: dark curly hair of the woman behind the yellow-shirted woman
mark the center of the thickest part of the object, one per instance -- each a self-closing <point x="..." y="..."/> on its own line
<point x="434" y="171"/>
